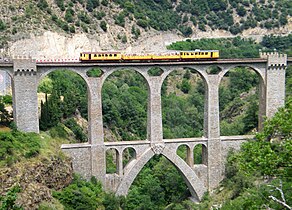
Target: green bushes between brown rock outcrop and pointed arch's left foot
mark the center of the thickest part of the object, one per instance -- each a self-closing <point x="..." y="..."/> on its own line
<point x="81" y="194"/>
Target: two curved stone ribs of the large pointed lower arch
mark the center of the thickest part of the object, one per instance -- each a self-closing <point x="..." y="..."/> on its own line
<point x="195" y="185"/>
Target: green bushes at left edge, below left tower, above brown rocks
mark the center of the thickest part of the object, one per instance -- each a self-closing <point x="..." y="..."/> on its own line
<point x="16" y="145"/>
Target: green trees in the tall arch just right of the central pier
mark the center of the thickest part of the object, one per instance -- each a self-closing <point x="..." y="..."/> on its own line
<point x="182" y="116"/>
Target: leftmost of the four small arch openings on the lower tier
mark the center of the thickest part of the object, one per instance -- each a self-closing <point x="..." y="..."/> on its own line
<point x="112" y="161"/>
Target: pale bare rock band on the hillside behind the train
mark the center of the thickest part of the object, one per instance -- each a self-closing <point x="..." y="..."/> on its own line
<point x="52" y="45"/>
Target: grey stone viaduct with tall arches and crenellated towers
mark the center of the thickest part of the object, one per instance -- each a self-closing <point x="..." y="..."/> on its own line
<point x="89" y="158"/>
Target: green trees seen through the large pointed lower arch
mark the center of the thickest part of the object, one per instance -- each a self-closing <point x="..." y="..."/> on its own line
<point x="157" y="185"/>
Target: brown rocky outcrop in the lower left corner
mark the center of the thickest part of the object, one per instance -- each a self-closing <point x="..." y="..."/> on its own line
<point x="36" y="180"/>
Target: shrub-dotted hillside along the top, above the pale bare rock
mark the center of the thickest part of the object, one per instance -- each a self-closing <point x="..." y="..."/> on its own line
<point x="19" y="18"/>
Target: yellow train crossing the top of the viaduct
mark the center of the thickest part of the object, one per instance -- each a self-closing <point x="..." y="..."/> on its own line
<point x="172" y="56"/>
